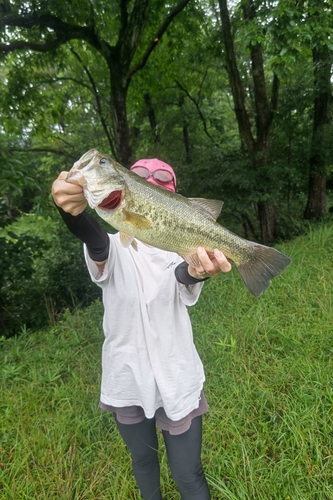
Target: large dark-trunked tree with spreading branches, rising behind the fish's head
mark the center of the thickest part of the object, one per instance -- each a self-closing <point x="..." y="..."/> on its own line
<point x="125" y="49"/>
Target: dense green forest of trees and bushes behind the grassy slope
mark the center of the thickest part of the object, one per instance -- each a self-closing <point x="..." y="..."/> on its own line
<point x="235" y="95"/>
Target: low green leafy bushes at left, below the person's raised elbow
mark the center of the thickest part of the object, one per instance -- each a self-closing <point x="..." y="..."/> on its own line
<point x="42" y="273"/>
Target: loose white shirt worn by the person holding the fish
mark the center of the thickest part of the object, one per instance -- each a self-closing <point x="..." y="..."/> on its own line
<point x="148" y="357"/>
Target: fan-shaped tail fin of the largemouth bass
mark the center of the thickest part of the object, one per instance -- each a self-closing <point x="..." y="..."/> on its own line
<point x="264" y="264"/>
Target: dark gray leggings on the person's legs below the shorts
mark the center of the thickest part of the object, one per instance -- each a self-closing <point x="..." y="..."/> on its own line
<point x="183" y="453"/>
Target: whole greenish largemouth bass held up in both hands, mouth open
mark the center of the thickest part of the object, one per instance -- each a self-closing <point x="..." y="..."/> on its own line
<point x="170" y="221"/>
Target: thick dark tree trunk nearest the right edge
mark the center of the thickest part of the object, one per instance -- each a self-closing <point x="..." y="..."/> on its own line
<point x="316" y="204"/>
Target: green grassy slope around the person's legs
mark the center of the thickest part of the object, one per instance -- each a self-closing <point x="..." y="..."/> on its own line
<point x="268" y="362"/>
